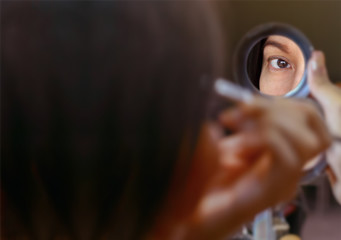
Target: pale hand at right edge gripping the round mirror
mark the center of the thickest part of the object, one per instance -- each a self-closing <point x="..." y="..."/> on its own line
<point x="329" y="97"/>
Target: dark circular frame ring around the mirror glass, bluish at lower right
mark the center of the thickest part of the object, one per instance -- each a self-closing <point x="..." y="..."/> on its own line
<point x="260" y="32"/>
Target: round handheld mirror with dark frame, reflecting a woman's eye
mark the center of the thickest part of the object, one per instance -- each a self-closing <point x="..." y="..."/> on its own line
<point x="271" y="60"/>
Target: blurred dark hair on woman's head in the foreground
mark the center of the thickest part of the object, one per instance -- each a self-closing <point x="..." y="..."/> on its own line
<point x="96" y="100"/>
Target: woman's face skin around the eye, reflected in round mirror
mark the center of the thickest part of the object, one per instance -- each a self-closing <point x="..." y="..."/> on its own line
<point x="283" y="66"/>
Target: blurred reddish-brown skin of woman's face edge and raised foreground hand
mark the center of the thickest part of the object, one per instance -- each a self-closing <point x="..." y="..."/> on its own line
<point x="233" y="178"/>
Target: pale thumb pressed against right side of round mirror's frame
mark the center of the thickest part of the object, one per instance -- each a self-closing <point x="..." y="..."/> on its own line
<point x="318" y="79"/>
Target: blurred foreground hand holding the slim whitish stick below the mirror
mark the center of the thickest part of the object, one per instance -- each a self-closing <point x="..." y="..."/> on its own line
<point x="274" y="141"/>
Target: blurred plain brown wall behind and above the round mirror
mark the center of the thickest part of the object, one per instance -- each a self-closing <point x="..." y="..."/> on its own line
<point x="319" y="20"/>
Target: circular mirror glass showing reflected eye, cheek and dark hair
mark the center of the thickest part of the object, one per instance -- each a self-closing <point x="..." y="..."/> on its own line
<point x="276" y="65"/>
